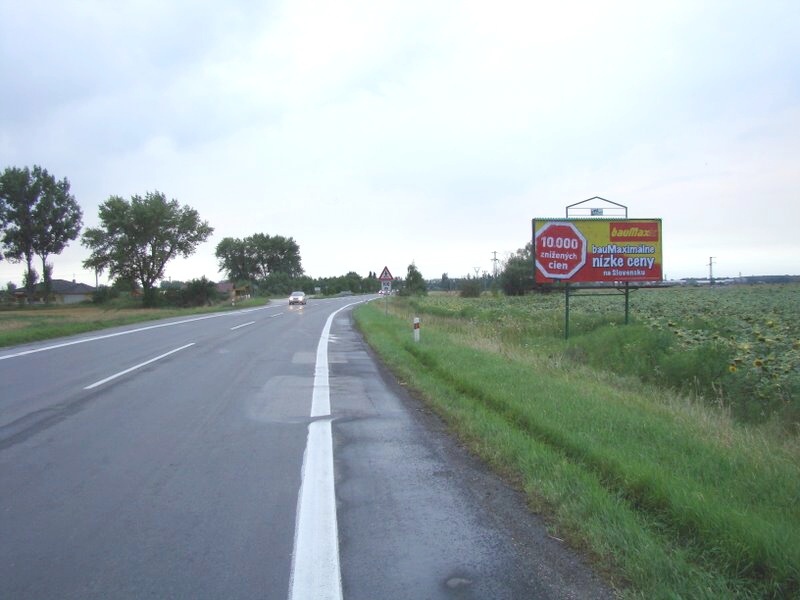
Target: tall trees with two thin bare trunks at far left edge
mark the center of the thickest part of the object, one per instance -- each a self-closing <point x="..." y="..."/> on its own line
<point x="41" y="217"/>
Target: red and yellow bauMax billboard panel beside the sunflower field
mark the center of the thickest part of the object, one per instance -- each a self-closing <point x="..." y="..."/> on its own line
<point x="597" y="250"/>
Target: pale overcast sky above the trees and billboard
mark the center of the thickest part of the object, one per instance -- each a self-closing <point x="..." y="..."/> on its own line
<point x="380" y="133"/>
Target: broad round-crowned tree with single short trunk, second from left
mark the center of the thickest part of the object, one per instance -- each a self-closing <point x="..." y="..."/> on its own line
<point x="137" y="239"/>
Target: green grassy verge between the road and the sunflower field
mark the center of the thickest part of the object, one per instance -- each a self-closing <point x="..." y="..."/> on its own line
<point x="668" y="493"/>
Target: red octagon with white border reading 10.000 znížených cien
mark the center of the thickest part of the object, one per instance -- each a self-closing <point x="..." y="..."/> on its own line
<point x="560" y="250"/>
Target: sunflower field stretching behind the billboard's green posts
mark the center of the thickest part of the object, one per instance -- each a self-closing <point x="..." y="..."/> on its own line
<point x="738" y="347"/>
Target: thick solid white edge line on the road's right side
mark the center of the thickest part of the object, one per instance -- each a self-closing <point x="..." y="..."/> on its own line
<point x="316" y="572"/>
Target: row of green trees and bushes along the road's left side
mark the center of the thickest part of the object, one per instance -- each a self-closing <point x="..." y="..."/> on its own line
<point x="138" y="237"/>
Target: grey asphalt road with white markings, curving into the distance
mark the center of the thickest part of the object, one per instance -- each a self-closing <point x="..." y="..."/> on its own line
<point x="254" y="454"/>
